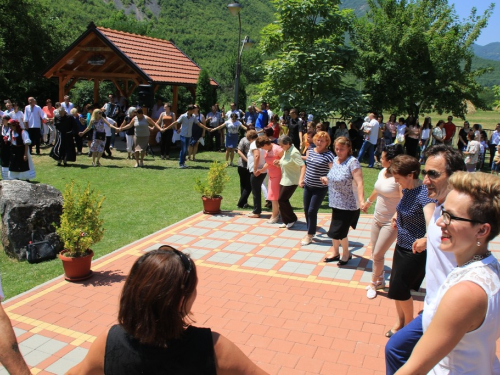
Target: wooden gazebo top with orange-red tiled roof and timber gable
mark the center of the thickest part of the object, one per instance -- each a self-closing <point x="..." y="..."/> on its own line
<point x="127" y="60"/>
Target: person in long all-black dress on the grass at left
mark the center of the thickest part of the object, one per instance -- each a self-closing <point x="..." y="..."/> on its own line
<point x="64" y="149"/>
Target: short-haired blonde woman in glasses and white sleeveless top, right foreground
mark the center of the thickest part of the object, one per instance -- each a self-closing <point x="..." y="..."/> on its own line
<point x="461" y="324"/>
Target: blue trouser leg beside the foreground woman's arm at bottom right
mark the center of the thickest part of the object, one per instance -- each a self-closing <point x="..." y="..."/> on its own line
<point x="399" y="347"/>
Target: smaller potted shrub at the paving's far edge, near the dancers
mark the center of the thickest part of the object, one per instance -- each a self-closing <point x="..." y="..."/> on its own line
<point x="212" y="188"/>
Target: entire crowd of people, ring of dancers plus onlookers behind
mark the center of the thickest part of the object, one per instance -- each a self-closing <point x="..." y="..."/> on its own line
<point x="441" y="217"/>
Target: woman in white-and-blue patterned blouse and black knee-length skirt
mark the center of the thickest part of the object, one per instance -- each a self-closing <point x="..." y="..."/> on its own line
<point x="345" y="195"/>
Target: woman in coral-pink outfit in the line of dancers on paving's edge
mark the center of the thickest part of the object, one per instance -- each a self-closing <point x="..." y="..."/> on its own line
<point x="273" y="153"/>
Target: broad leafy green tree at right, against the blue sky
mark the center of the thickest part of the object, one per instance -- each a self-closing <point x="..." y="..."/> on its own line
<point x="415" y="56"/>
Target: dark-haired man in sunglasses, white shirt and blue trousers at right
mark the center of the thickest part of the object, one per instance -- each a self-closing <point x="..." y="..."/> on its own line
<point x="442" y="162"/>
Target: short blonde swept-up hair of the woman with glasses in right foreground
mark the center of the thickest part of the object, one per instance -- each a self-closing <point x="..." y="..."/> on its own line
<point x="484" y="190"/>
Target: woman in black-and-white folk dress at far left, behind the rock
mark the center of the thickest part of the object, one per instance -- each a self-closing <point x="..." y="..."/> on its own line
<point x="20" y="164"/>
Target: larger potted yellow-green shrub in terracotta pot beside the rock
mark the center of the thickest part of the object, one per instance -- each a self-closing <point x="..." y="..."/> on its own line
<point x="80" y="228"/>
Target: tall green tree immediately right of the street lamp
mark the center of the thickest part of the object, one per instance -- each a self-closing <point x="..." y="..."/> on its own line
<point x="309" y="58"/>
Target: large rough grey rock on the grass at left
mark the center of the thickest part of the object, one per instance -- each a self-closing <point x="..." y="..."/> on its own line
<point x="27" y="208"/>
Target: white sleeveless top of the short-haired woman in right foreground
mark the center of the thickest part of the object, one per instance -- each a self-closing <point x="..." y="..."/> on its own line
<point x="475" y="353"/>
